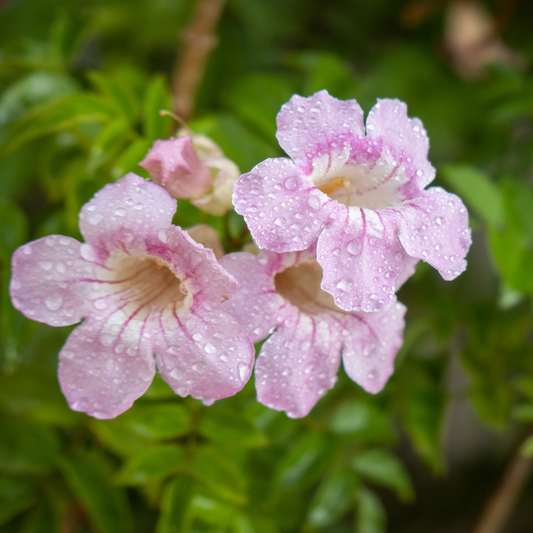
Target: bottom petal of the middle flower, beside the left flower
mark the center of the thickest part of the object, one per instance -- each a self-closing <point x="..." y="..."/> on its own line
<point x="297" y="364"/>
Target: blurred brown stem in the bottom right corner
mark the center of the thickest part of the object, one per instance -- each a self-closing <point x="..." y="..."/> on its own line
<point x="501" y="504"/>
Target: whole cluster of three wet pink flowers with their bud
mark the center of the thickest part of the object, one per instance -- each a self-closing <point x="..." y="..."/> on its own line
<point x="341" y="225"/>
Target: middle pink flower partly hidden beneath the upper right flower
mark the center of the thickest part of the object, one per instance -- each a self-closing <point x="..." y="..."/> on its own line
<point x="281" y="294"/>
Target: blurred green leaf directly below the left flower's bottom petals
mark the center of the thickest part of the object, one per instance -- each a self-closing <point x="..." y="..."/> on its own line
<point x="157" y="421"/>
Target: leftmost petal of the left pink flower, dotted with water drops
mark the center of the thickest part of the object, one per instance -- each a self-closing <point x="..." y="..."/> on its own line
<point x="45" y="283"/>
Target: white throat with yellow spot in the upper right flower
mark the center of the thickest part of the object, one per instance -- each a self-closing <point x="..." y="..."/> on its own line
<point x="370" y="182"/>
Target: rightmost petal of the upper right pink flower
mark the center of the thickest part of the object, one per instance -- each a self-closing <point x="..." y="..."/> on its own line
<point x="434" y="227"/>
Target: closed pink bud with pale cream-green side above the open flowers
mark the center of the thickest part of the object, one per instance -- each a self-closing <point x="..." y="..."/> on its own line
<point x="194" y="167"/>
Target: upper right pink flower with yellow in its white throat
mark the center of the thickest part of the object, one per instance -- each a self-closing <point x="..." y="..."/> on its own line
<point x="361" y="197"/>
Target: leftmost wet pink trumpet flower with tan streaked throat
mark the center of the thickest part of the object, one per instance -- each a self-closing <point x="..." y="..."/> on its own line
<point x="142" y="286"/>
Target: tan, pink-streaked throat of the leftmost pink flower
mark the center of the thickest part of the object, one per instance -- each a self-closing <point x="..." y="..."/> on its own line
<point x="141" y="285"/>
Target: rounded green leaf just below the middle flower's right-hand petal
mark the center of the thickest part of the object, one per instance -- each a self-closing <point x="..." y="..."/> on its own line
<point x="363" y="420"/>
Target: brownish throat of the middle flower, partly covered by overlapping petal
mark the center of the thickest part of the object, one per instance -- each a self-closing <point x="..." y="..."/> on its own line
<point x="300" y="285"/>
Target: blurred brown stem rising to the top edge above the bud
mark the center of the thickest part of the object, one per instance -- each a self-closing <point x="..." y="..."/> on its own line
<point x="198" y="41"/>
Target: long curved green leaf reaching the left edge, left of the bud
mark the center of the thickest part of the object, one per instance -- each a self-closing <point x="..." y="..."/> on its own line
<point x="65" y="114"/>
